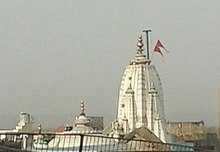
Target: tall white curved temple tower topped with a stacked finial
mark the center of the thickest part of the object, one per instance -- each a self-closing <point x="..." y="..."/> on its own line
<point x="140" y="100"/>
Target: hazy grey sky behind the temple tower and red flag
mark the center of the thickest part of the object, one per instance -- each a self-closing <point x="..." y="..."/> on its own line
<point x="54" y="54"/>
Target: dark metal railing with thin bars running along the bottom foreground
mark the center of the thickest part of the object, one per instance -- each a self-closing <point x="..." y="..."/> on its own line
<point x="48" y="142"/>
